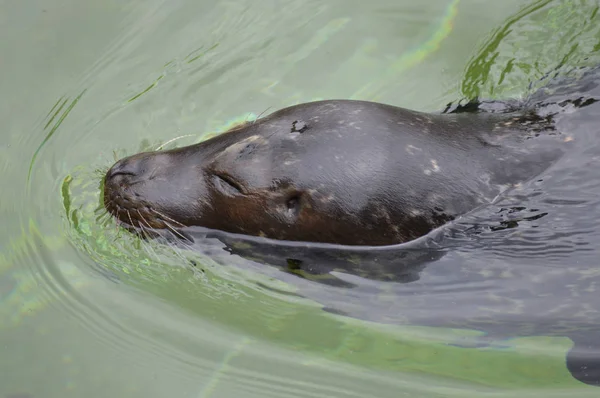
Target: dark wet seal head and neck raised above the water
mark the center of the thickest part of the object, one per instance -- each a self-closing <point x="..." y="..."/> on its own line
<point x="338" y="171"/>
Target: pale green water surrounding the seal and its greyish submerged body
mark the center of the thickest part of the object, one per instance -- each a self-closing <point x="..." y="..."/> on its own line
<point x="89" y="311"/>
